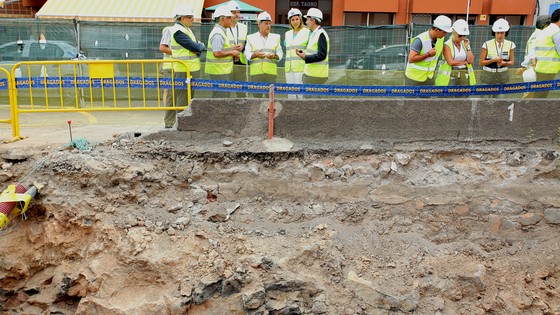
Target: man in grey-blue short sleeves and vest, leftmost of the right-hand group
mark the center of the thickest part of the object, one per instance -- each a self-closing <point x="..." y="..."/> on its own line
<point x="425" y="50"/>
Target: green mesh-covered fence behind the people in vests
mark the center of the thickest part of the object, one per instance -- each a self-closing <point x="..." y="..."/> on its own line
<point x="359" y="55"/>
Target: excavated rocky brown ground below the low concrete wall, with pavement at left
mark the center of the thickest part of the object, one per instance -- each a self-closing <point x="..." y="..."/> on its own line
<point x="157" y="221"/>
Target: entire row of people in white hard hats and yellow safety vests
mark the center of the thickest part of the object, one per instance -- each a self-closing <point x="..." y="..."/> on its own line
<point x="432" y="60"/>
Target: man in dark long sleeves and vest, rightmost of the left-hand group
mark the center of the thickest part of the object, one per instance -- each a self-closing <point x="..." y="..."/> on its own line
<point x="316" y="54"/>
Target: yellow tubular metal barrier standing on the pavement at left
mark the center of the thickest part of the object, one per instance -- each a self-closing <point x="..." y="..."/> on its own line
<point x="91" y="85"/>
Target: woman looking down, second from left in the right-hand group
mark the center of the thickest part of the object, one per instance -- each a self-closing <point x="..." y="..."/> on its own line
<point x="456" y="67"/>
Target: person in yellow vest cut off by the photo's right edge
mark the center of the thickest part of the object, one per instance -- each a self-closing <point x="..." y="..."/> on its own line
<point x="548" y="52"/>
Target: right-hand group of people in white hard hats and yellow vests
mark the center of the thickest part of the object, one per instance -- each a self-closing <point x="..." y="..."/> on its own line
<point x="435" y="61"/>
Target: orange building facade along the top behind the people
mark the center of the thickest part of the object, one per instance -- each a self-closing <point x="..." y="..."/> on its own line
<point x="383" y="12"/>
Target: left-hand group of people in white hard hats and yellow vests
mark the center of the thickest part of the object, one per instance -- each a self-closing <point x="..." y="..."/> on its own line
<point x="306" y="54"/>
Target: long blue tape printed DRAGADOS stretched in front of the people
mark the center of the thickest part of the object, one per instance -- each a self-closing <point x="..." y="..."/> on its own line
<point x="284" y="88"/>
